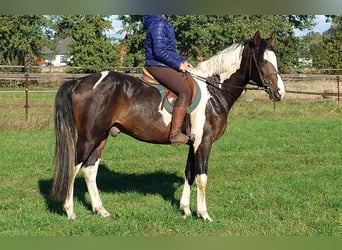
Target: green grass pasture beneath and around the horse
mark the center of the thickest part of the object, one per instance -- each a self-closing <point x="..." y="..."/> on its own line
<point x="272" y="173"/>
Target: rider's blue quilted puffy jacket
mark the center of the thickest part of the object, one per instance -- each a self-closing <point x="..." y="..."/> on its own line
<point x="160" y="44"/>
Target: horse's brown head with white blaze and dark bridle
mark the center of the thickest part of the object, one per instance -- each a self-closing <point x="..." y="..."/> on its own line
<point x="260" y="66"/>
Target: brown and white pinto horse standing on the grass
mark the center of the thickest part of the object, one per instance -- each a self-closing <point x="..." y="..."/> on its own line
<point x="96" y="105"/>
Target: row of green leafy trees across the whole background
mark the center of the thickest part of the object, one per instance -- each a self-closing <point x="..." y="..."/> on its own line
<point x="23" y="37"/>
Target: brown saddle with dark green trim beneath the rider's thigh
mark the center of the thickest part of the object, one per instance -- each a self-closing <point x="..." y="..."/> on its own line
<point x="169" y="95"/>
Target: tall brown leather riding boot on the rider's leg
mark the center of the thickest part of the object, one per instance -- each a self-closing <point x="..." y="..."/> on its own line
<point x="179" y="111"/>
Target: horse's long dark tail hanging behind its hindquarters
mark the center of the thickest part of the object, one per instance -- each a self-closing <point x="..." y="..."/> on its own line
<point x="65" y="142"/>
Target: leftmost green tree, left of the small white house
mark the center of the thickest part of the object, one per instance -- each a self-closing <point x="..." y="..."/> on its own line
<point x="22" y="38"/>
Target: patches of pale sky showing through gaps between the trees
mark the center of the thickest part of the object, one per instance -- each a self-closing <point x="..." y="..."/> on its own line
<point x="320" y="27"/>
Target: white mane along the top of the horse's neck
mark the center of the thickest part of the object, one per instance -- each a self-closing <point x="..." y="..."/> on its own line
<point x="224" y="63"/>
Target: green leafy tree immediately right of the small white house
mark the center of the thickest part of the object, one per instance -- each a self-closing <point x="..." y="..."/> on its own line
<point x="90" y="47"/>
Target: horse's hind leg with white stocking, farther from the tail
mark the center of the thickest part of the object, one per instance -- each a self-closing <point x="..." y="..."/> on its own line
<point x="90" y="172"/>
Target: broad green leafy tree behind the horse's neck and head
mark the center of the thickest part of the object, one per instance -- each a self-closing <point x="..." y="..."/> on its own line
<point x="206" y="35"/>
